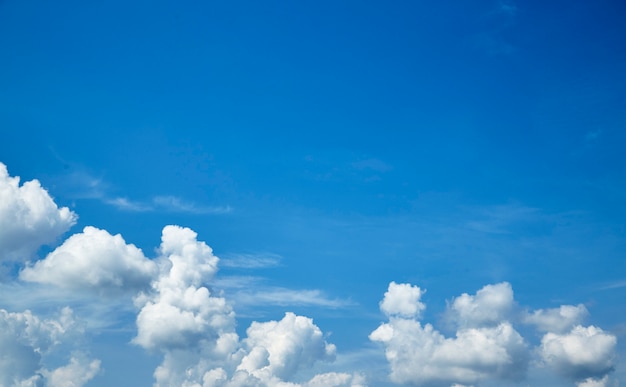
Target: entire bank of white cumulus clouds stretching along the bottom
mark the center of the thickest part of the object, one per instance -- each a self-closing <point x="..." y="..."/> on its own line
<point x="181" y="316"/>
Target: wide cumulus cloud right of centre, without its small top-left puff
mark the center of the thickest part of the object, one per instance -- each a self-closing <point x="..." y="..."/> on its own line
<point x="484" y="348"/>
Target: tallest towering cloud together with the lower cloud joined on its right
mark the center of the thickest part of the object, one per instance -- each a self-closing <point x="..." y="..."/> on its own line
<point x="195" y="329"/>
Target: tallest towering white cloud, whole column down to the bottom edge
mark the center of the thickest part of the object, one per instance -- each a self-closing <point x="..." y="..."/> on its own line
<point x="180" y="316"/>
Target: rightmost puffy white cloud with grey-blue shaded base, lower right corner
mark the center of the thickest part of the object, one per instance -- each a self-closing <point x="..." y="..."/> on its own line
<point x="584" y="352"/>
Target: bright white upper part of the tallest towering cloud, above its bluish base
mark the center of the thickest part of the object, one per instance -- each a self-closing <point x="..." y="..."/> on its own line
<point x="180" y="311"/>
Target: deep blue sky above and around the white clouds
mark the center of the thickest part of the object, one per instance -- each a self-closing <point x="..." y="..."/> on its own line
<point x="449" y="144"/>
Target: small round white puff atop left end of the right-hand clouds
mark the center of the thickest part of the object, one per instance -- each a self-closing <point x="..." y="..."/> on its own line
<point x="402" y="300"/>
